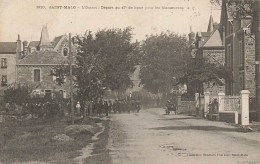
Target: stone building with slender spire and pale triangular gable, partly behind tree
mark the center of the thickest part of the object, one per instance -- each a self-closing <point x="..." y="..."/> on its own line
<point x="209" y="45"/>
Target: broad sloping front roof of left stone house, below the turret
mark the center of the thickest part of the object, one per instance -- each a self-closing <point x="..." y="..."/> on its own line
<point x="43" y="57"/>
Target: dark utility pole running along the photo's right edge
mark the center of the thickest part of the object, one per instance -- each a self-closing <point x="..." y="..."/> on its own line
<point x="257" y="56"/>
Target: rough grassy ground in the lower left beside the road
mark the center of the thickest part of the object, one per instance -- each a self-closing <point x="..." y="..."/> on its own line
<point x="31" y="140"/>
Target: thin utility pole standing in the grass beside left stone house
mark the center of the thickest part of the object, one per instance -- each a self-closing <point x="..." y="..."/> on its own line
<point x="71" y="79"/>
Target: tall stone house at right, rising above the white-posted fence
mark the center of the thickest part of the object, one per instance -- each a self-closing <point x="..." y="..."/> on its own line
<point x="239" y="50"/>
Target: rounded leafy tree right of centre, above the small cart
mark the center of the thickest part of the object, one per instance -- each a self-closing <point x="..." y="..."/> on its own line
<point x="163" y="60"/>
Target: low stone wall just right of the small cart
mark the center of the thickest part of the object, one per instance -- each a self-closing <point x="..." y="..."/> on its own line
<point x="187" y="107"/>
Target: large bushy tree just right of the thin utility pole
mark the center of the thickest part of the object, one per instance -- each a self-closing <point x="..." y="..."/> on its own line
<point x="104" y="61"/>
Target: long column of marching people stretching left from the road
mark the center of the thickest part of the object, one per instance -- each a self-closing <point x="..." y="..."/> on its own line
<point x="40" y="108"/>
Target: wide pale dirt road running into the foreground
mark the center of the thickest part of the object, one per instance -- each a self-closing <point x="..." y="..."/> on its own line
<point x="151" y="137"/>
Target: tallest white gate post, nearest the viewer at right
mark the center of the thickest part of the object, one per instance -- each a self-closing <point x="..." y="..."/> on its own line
<point x="244" y="107"/>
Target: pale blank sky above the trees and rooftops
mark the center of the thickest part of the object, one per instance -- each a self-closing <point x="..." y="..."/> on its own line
<point x="146" y="17"/>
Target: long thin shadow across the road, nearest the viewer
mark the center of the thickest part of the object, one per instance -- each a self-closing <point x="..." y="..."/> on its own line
<point x="203" y="128"/>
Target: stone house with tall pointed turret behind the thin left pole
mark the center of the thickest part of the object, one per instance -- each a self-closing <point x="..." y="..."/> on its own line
<point x="39" y="59"/>
